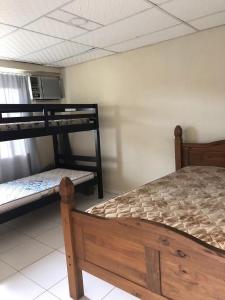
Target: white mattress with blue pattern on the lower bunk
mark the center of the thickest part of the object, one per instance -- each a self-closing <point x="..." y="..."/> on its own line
<point x="22" y="191"/>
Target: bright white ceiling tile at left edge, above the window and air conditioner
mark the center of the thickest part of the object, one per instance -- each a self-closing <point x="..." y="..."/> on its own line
<point x="22" y="42"/>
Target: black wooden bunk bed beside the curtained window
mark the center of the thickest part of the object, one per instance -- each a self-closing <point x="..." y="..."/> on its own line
<point x="37" y="120"/>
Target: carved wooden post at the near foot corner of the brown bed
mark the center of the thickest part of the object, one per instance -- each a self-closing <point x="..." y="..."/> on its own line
<point x="74" y="273"/>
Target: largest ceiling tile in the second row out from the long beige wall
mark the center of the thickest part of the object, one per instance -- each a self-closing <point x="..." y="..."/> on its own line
<point x="140" y="24"/>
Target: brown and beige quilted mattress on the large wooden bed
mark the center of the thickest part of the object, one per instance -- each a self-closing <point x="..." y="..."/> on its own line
<point x="191" y="200"/>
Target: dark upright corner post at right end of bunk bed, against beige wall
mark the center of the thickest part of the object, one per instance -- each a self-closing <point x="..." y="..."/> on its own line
<point x="98" y="156"/>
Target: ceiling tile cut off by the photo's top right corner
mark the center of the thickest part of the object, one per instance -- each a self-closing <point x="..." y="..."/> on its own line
<point x="192" y="9"/>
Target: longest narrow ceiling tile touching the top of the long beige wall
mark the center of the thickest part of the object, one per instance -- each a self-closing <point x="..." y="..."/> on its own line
<point x="153" y="38"/>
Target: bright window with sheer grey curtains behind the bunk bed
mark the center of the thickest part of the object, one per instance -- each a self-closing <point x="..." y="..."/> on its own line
<point x="16" y="158"/>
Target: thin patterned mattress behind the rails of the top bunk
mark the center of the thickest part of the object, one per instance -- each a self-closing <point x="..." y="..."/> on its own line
<point x="41" y="124"/>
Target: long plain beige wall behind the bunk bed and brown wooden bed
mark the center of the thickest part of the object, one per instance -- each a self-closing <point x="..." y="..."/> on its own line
<point x="143" y="94"/>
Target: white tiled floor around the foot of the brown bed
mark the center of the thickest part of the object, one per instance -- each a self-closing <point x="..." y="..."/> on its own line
<point x="32" y="259"/>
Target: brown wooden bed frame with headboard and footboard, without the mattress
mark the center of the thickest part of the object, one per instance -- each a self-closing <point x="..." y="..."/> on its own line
<point x="152" y="261"/>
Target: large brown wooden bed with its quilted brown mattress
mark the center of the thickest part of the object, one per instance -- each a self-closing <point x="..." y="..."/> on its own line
<point x="155" y="257"/>
